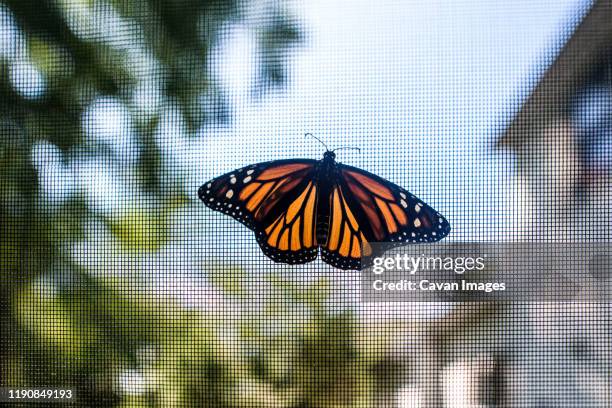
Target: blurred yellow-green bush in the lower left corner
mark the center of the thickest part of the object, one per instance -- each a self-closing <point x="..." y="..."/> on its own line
<point x="119" y="345"/>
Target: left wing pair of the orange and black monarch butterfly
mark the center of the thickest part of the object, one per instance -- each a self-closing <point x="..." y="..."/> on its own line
<point x="275" y="199"/>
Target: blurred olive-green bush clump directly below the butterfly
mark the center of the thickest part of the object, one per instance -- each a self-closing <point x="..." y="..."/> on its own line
<point x="316" y="360"/>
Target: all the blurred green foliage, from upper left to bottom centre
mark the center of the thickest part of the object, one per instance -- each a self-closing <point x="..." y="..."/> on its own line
<point x="63" y="62"/>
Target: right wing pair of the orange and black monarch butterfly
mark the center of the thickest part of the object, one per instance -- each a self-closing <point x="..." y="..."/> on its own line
<point x="365" y="208"/>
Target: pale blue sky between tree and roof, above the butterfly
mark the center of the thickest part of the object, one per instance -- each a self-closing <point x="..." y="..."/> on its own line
<point x="423" y="88"/>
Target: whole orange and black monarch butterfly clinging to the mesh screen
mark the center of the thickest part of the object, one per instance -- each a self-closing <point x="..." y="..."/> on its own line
<point x="298" y="206"/>
